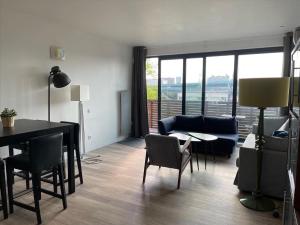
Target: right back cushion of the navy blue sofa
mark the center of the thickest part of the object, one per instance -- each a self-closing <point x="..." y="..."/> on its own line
<point x="217" y="125"/>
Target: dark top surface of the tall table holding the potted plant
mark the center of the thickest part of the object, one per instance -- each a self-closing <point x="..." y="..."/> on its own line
<point x="23" y="126"/>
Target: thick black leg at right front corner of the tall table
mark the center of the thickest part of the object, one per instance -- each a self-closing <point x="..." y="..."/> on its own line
<point x="71" y="166"/>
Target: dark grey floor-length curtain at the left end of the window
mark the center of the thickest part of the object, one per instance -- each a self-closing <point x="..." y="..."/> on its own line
<point x="139" y="112"/>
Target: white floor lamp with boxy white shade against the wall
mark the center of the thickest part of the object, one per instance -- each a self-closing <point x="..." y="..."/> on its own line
<point x="80" y="93"/>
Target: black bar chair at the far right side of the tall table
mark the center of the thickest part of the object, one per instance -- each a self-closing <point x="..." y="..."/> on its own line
<point x="51" y="176"/>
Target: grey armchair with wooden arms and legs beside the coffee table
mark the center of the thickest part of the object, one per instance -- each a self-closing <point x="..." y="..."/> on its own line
<point x="165" y="151"/>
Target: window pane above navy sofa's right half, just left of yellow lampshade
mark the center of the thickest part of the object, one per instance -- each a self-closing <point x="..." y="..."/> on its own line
<point x="219" y="85"/>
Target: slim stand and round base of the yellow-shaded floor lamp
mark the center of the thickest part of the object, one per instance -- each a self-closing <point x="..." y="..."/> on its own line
<point x="257" y="201"/>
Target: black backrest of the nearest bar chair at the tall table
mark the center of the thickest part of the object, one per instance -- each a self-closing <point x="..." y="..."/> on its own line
<point x="45" y="152"/>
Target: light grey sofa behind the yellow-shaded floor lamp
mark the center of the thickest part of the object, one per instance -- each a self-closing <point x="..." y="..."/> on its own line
<point x="274" y="176"/>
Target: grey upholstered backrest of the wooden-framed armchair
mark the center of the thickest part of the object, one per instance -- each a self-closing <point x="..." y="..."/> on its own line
<point x="163" y="150"/>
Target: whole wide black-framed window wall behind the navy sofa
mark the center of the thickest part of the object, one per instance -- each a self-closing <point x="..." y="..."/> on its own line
<point x="207" y="83"/>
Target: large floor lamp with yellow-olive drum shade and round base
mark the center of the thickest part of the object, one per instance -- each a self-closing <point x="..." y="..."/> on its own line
<point x="262" y="93"/>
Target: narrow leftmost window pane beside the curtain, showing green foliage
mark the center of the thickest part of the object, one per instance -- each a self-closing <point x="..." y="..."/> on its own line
<point x="152" y="91"/>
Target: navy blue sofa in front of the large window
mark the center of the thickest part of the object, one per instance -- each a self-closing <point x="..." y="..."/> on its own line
<point x="226" y="129"/>
